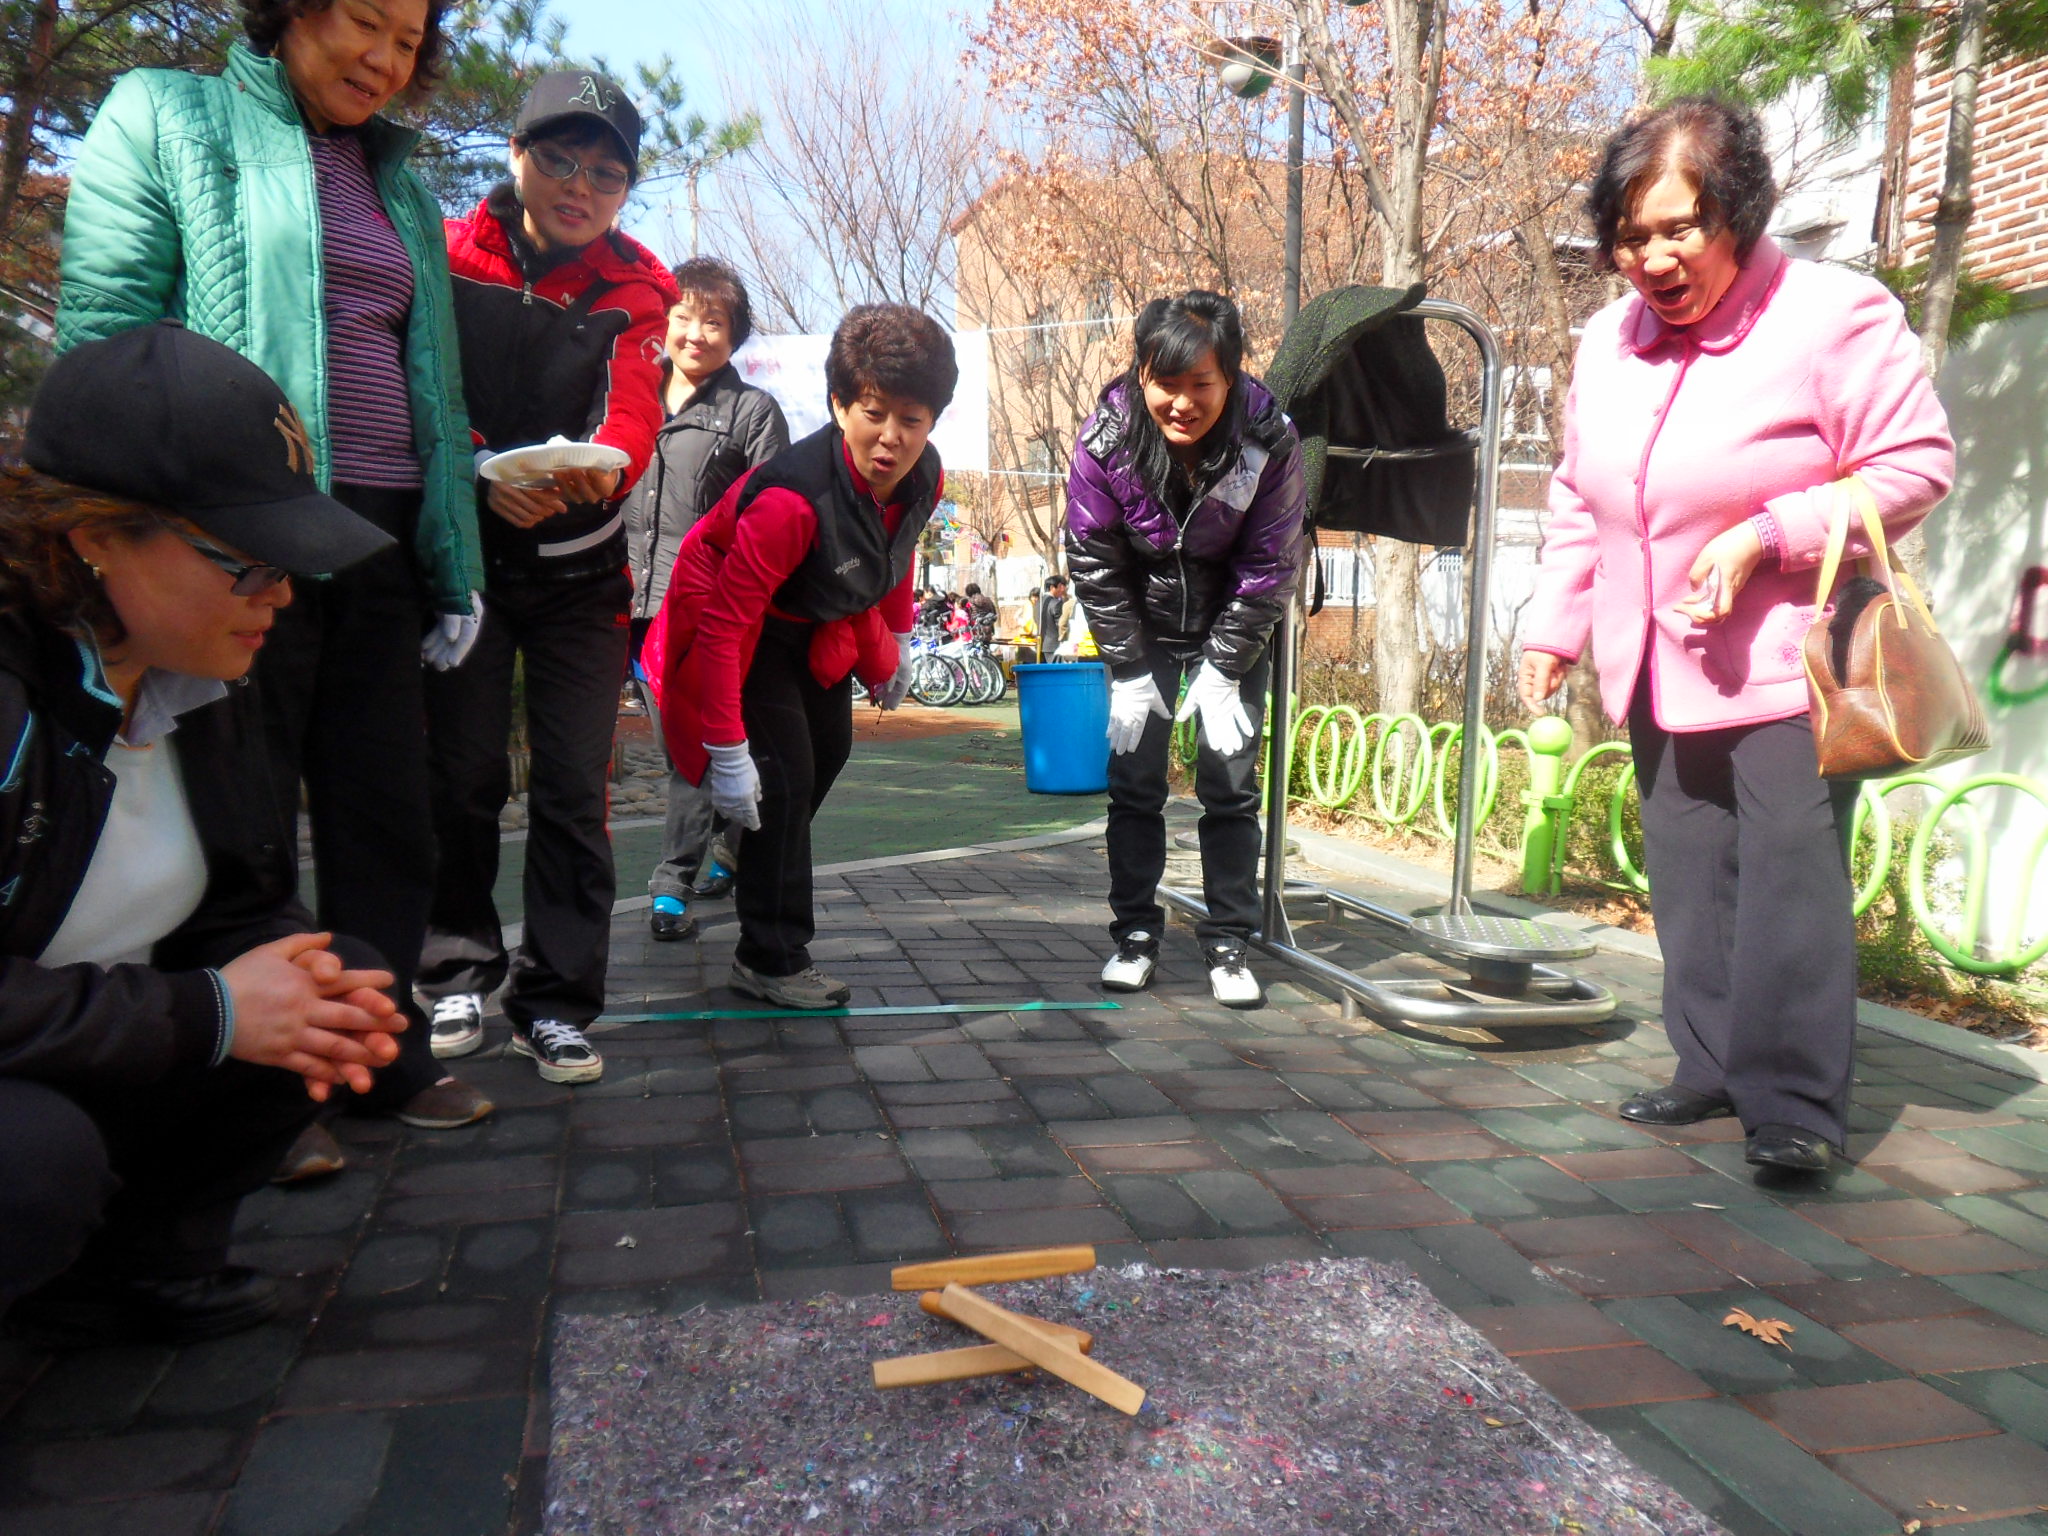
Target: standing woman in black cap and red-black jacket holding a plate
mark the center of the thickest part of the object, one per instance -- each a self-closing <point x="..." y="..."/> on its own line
<point x="562" y="316"/>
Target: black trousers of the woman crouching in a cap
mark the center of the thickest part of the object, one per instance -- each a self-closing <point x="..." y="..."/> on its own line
<point x="138" y="1183"/>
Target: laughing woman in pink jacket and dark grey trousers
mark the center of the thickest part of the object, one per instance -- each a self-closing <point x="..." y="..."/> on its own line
<point x="1711" y="421"/>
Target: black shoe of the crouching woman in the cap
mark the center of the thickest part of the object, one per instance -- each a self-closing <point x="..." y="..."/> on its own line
<point x="91" y="1310"/>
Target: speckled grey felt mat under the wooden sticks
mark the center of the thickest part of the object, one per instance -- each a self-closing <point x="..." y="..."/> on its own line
<point x="1310" y="1398"/>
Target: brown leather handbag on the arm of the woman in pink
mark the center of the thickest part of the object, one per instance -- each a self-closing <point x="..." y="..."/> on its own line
<point x="1887" y="693"/>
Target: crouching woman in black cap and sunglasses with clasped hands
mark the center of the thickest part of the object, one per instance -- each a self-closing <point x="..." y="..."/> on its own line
<point x="167" y="1015"/>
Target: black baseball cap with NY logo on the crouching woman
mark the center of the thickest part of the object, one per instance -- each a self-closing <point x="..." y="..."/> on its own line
<point x="171" y="419"/>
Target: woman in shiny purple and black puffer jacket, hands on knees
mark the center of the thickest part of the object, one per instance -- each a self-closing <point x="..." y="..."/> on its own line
<point x="1185" y="540"/>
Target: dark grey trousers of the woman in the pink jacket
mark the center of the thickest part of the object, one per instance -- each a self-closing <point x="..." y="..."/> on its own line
<point x="1748" y="853"/>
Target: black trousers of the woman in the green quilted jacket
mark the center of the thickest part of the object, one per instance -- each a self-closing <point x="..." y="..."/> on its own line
<point x="345" y="714"/>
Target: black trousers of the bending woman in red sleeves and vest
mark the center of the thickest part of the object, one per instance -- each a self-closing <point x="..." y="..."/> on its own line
<point x="802" y="736"/>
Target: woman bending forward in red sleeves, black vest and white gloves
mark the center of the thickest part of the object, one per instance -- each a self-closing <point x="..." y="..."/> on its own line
<point x="796" y="581"/>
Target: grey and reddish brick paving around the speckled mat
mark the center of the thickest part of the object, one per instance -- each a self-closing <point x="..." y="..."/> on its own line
<point x="407" y="1388"/>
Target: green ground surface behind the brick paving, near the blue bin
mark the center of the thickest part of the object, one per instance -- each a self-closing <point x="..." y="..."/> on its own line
<point x="902" y="796"/>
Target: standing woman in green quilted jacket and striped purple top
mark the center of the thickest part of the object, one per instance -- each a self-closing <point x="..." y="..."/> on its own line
<point x="271" y="210"/>
